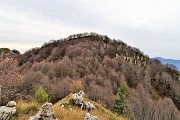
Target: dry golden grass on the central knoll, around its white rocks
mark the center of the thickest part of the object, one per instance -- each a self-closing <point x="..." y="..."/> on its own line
<point x="75" y="113"/>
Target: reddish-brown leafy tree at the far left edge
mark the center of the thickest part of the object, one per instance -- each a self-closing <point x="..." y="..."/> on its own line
<point x="10" y="78"/>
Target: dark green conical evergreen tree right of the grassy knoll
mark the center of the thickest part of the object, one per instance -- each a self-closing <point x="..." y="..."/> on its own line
<point x="121" y="105"/>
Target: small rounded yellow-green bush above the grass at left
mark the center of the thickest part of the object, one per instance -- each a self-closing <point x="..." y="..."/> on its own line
<point x="41" y="96"/>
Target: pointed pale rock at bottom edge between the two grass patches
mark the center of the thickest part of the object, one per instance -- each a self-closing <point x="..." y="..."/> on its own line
<point x="45" y="113"/>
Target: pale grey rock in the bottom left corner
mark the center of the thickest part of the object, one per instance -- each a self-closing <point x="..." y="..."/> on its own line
<point x="6" y="112"/>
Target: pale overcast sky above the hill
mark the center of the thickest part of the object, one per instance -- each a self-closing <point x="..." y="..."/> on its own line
<point x="153" y="26"/>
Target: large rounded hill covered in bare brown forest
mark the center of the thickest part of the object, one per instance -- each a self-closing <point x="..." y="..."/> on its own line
<point x="99" y="65"/>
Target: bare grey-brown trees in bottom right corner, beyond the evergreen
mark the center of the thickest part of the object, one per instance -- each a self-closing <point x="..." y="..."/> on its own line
<point x="144" y="108"/>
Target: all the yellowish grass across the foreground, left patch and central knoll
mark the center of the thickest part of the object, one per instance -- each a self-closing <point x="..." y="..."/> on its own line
<point x="71" y="112"/>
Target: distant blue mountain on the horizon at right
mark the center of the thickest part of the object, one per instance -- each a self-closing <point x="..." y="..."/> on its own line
<point x="176" y="63"/>
